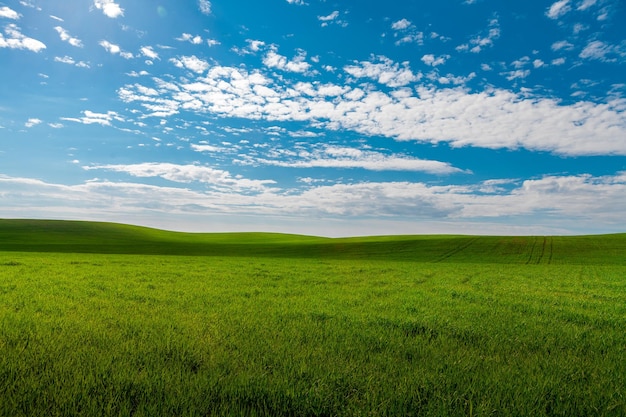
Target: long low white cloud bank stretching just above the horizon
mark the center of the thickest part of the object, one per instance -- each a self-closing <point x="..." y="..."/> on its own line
<point x="569" y="204"/>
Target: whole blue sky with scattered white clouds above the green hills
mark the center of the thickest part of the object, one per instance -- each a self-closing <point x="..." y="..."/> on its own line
<point x="321" y="117"/>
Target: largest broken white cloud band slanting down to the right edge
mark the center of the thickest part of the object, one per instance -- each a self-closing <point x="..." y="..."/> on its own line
<point x="493" y="118"/>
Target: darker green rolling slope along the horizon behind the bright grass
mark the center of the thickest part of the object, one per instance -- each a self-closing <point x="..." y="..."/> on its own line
<point x="95" y="237"/>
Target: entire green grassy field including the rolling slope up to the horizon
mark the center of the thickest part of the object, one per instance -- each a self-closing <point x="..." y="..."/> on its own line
<point x="111" y="320"/>
